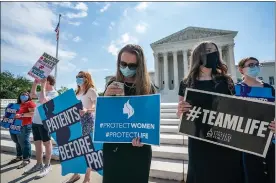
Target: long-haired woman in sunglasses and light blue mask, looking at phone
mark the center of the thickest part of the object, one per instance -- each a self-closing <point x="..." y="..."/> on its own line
<point x="123" y="162"/>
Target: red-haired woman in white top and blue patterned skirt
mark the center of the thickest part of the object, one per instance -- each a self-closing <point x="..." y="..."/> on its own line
<point x="86" y="92"/>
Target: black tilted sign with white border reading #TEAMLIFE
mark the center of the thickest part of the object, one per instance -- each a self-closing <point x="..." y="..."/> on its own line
<point x="230" y="121"/>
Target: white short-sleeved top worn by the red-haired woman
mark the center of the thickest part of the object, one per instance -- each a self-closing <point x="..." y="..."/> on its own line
<point x="89" y="99"/>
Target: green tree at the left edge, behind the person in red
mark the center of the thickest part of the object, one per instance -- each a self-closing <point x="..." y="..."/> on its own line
<point x="11" y="85"/>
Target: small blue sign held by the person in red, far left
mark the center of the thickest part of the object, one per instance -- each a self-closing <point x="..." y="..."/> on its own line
<point x="9" y="121"/>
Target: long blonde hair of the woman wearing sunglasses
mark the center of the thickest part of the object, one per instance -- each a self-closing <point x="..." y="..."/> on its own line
<point x="142" y="78"/>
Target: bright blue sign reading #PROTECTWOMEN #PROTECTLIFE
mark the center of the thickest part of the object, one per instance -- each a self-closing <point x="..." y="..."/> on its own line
<point x="120" y="119"/>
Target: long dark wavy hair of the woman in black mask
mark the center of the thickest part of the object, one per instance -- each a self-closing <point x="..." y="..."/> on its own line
<point x="198" y="58"/>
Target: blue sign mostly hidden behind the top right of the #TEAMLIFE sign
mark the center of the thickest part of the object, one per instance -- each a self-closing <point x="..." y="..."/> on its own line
<point x="259" y="93"/>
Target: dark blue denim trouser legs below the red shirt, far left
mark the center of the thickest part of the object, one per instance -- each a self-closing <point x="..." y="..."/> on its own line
<point x="24" y="141"/>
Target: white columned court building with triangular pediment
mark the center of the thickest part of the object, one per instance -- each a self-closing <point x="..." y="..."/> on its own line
<point x="172" y="57"/>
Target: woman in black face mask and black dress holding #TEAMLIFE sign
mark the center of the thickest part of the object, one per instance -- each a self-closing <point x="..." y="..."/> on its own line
<point x="209" y="163"/>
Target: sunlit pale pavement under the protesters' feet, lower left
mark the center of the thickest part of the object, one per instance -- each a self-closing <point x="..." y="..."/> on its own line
<point x="9" y="173"/>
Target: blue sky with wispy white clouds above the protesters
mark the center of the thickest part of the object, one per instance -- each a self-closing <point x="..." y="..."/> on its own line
<point x="93" y="32"/>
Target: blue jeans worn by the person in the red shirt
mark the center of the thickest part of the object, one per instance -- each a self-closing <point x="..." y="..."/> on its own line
<point x="22" y="142"/>
